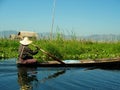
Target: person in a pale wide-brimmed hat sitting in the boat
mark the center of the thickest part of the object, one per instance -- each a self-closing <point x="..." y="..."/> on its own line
<point x="25" y="53"/>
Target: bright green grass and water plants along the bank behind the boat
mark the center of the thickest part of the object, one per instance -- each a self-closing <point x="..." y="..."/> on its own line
<point x="64" y="49"/>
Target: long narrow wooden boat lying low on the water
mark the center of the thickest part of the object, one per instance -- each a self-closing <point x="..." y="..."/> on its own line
<point x="110" y="63"/>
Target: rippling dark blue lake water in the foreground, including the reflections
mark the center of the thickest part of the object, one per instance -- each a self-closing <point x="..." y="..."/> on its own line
<point x="14" y="78"/>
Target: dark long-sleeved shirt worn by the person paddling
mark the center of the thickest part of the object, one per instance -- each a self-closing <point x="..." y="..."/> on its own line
<point x="26" y="53"/>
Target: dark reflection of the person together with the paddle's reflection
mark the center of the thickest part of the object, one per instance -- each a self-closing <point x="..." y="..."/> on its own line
<point x="27" y="77"/>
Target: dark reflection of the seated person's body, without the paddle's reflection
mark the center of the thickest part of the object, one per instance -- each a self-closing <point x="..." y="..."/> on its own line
<point x="26" y="77"/>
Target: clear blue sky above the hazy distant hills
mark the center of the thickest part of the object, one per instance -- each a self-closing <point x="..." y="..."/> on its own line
<point x="82" y="17"/>
